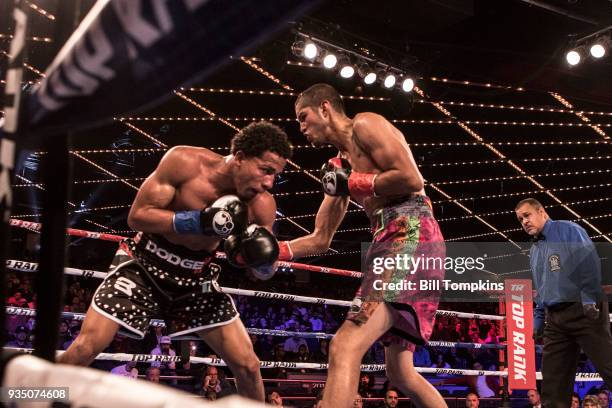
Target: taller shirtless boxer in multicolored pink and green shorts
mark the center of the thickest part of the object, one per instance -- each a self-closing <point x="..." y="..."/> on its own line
<point x="375" y="167"/>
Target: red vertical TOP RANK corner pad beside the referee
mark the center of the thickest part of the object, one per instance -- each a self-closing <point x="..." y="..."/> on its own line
<point x="519" y="322"/>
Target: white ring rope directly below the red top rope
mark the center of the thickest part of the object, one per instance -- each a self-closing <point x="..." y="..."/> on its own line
<point x="32" y="267"/>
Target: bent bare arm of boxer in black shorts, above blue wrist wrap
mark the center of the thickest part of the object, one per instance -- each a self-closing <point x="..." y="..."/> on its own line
<point x="149" y="211"/>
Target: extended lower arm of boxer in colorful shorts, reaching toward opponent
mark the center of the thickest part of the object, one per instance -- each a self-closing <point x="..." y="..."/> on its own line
<point x="329" y="217"/>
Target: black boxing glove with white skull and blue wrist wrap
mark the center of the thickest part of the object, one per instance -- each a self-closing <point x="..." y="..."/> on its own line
<point x="227" y="215"/>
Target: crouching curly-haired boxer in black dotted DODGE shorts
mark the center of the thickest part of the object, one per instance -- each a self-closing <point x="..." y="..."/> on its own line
<point x="193" y="200"/>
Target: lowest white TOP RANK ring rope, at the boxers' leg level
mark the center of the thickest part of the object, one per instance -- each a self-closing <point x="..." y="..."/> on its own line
<point x="146" y="358"/>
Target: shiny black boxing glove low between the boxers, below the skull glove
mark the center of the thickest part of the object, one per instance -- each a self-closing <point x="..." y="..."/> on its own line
<point x="255" y="248"/>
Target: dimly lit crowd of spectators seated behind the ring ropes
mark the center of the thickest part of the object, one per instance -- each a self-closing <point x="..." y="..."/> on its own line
<point x="211" y="382"/>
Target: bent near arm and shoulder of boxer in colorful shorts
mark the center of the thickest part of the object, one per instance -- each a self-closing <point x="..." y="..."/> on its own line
<point x="400" y="174"/>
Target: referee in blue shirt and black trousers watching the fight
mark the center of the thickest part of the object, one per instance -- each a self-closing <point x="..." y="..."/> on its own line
<point x="571" y="311"/>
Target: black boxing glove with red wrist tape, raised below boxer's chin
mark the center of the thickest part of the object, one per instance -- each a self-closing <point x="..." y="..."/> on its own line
<point x="338" y="179"/>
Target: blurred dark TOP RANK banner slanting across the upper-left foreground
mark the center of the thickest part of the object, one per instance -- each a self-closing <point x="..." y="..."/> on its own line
<point x="129" y="54"/>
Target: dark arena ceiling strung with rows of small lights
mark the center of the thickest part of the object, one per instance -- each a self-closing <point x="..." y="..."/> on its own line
<point x="493" y="120"/>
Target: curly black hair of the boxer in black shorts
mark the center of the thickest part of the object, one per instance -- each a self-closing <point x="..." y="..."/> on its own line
<point x="260" y="137"/>
